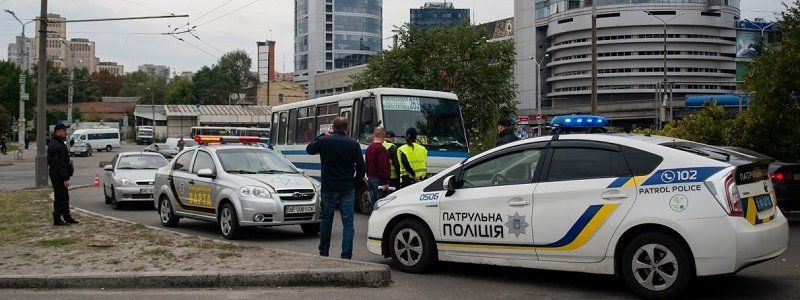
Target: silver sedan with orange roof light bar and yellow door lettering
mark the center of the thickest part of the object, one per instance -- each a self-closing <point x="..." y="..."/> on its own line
<point x="237" y="186"/>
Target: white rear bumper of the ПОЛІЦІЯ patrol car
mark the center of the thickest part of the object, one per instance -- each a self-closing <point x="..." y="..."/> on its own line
<point x="727" y="245"/>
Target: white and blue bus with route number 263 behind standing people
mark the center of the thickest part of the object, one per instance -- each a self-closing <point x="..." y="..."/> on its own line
<point x="436" y="115"/>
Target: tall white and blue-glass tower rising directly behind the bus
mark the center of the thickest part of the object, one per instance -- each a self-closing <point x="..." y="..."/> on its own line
<point x="334" y="34"/>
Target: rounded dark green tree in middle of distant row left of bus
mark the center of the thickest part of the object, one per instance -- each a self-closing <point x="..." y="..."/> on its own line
<point x="212" y="86"/>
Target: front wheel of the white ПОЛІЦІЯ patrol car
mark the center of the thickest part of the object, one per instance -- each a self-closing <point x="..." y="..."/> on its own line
<point x="412" y="247"/>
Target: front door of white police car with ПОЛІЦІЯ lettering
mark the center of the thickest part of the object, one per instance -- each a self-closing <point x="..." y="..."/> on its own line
<point x="489" y="214"/>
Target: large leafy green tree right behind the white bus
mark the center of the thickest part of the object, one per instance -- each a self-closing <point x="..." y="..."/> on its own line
<point x="457" y="59"/>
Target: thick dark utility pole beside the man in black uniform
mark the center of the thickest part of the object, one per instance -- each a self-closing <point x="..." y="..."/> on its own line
<point x="41" y="111"/>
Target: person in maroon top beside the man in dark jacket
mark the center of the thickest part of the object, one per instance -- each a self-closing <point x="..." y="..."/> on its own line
<point x="378" y="167"/>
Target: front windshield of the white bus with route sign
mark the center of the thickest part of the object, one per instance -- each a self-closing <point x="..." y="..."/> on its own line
<point x="438" y="121"/>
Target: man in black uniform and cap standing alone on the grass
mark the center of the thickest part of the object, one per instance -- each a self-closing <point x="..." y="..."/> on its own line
<point x="60" y="171"/>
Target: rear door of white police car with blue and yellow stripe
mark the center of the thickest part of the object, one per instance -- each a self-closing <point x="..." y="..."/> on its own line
<point x="585" y="192"/>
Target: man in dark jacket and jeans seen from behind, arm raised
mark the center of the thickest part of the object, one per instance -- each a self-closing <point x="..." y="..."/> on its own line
<point x="342" y="173"/>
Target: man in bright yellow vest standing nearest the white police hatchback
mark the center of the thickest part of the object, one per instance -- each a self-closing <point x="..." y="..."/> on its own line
<point x="413" y="160"/>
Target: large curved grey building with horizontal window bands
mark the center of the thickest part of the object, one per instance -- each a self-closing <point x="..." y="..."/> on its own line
<point x="701" y="53"/>
